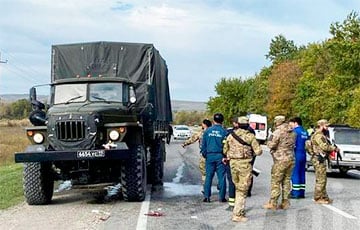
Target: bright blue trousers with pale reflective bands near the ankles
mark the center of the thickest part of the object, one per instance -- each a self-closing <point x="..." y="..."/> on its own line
<point x="298" y="176"/>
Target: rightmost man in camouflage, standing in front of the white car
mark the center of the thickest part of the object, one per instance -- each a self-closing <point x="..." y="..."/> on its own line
<point x="321" y="149"/>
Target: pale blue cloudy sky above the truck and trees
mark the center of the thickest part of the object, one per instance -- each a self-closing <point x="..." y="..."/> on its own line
<point x="201" y="41"/>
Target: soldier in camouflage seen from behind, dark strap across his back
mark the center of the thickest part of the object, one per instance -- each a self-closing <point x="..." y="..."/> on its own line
<point x="240" y="153"/>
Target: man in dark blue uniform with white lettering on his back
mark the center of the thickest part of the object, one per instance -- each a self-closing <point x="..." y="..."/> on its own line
<point x="212" y="150"/>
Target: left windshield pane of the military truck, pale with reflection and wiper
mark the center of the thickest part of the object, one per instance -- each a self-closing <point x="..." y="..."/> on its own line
<point x="69" y="93"/>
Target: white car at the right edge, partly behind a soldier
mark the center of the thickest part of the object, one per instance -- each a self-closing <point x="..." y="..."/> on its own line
<point x="347" y="139"/>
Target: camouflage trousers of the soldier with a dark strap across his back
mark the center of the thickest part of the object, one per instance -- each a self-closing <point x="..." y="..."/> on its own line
<point x="241" y="176"/>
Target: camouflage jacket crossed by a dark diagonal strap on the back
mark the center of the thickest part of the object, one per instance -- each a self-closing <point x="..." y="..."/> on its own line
<point x="233" y="149"/>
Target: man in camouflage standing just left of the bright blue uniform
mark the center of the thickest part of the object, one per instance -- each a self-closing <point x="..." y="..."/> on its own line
<point x="281" y="144"/>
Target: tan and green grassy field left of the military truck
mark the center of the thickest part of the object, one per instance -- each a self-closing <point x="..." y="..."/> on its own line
<point x="12" y="139"/>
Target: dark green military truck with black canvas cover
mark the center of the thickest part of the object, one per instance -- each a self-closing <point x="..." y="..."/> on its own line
<point x="106" y="120"/>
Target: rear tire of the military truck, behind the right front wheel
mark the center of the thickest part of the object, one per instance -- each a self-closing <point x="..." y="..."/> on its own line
<point x="157" y="163"/>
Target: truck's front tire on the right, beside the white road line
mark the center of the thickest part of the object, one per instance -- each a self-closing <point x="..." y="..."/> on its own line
<point x="133" y="176"/>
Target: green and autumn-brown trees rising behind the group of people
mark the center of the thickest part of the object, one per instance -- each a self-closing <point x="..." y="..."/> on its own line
<point x="314" y="81"/>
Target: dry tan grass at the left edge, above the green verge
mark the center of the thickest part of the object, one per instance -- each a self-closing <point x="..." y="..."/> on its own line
<point x="12" y="139"/>
